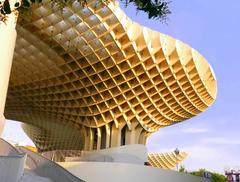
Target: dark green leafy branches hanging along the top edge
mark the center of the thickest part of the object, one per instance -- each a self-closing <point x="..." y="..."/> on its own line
<point x="156" y="9"/>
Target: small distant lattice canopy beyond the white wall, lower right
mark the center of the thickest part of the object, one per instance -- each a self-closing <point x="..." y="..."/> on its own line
<point x="166" y="160"/>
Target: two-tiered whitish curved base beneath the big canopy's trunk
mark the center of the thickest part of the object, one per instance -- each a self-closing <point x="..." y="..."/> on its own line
<point x="125" y="163"/>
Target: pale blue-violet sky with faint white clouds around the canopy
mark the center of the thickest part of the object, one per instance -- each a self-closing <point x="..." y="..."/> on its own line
<point x="212" y="139"/>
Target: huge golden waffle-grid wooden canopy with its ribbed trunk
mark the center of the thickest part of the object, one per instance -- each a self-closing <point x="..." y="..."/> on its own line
<point x="90" y="69"/>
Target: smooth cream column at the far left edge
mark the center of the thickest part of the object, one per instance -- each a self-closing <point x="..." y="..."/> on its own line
<point x="7" y="44"/>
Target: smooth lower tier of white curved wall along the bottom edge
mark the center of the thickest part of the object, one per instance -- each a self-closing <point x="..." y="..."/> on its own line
<point x="119" y="172"/>
